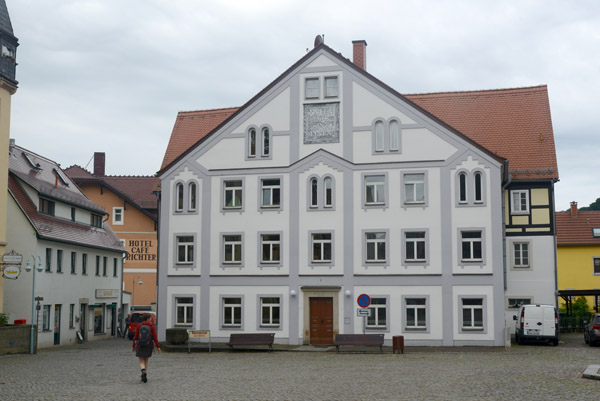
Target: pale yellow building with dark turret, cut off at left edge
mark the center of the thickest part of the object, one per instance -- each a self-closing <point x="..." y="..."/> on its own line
<point x="8" y="87"/>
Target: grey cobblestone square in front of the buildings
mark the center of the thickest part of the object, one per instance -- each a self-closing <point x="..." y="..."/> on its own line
<point x="108" y="370"/>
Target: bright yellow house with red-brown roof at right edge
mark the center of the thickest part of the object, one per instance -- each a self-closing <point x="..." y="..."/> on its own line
<point x="578" y="255"/>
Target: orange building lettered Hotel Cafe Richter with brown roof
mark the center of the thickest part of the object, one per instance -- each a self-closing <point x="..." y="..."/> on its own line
<point x="132" y="215"/>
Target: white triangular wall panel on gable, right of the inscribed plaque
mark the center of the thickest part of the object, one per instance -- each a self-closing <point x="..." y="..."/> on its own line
<point x="367" y="107"/>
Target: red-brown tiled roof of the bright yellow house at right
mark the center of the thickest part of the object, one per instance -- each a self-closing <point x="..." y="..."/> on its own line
<point x="577" y="230"/>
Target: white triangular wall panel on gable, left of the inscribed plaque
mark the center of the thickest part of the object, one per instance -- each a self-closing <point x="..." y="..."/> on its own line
<point x="276" y="113"/>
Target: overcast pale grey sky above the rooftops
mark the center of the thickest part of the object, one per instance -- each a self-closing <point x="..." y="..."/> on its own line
<point x="111" y="75"/>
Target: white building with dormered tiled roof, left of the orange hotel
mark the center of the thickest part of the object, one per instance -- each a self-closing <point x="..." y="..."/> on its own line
<point x="52" y="223"/>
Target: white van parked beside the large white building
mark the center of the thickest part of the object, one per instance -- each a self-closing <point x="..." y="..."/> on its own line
<point x="537" y="323"/>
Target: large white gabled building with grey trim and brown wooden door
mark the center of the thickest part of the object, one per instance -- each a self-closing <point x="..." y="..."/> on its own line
<point x="328" y="184"/>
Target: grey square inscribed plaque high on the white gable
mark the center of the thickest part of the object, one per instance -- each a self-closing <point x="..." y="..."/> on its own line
<point x="321" y="123"/>
